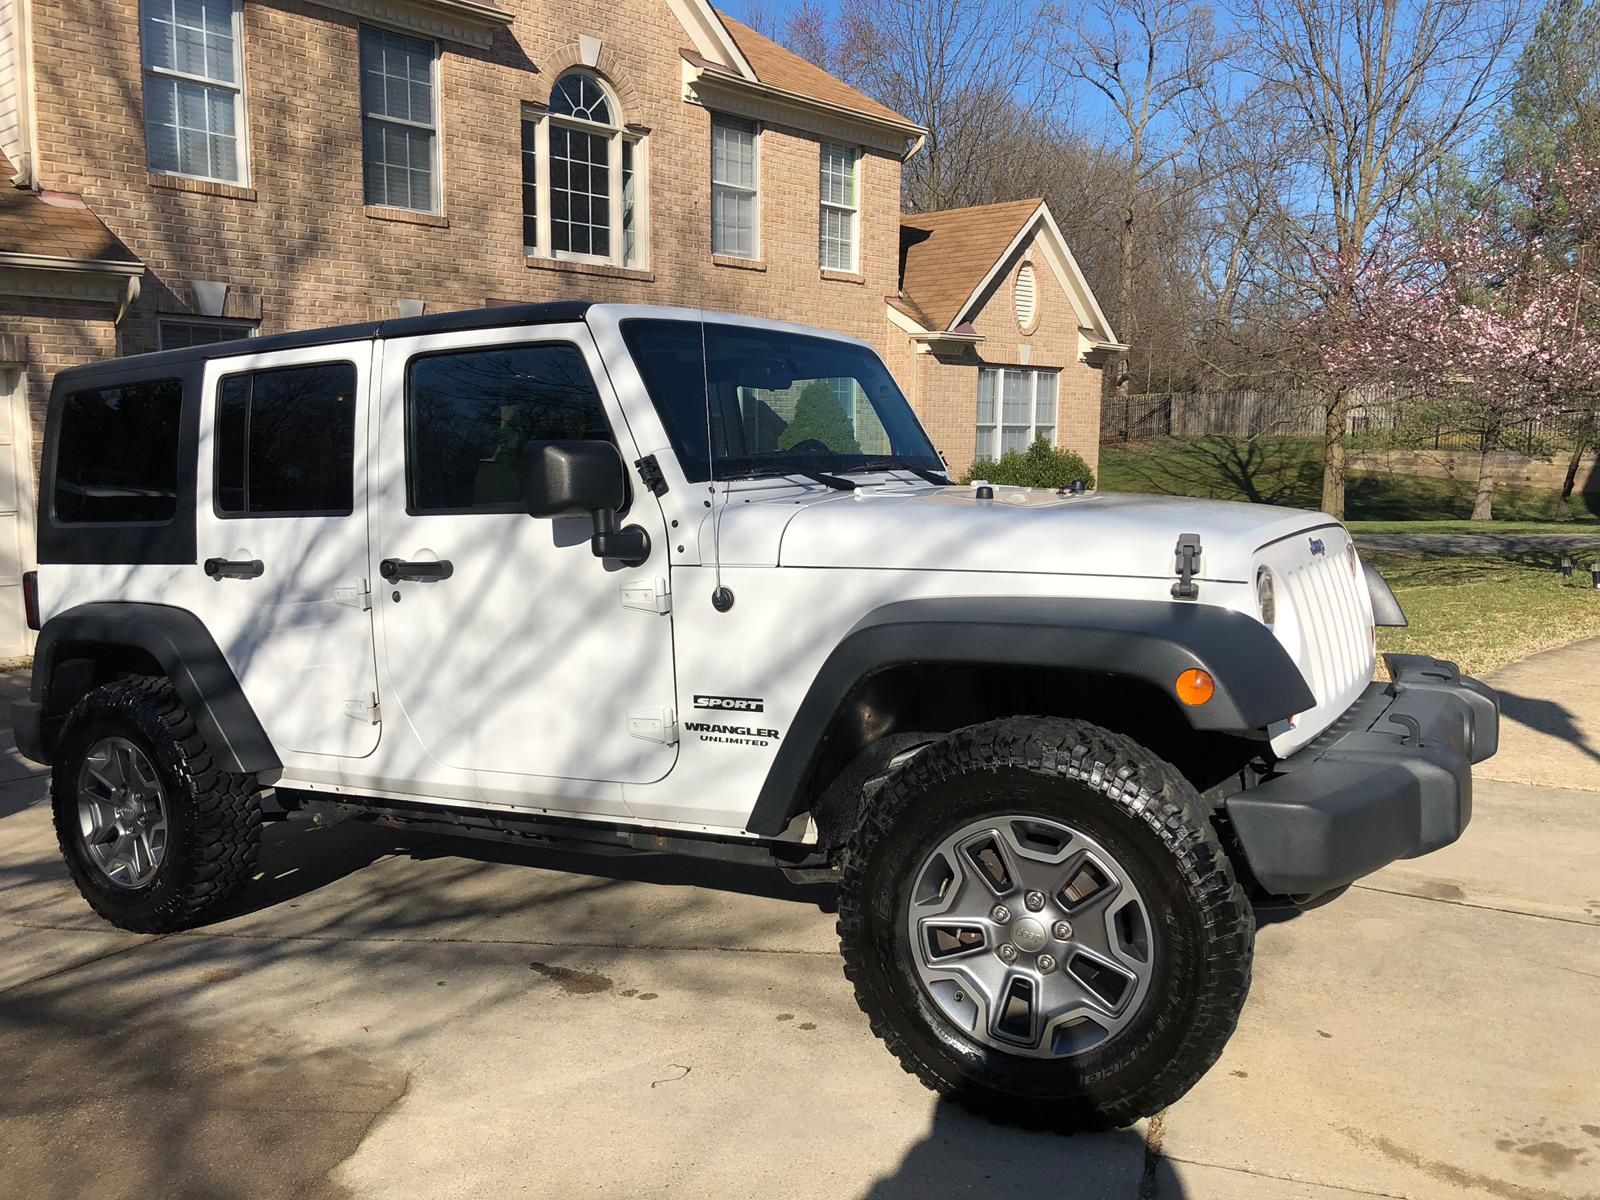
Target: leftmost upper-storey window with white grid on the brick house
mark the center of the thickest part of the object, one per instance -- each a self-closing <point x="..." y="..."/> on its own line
<point x="194" y="89"/>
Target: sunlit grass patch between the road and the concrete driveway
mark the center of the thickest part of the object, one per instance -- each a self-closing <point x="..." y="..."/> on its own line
<point x="1484" y="614"/>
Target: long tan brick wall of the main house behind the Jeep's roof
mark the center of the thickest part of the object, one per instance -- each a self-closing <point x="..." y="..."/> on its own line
<point x="300" y="250"/>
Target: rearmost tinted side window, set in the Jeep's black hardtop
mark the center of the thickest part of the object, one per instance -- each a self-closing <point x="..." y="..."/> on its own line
<point x="118" y="458"/>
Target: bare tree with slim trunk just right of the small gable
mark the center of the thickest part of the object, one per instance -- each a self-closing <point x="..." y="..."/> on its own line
<point x="1153" y="63"/>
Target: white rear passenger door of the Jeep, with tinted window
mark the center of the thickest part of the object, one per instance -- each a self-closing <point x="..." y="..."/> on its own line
<point x="282" y="538"/>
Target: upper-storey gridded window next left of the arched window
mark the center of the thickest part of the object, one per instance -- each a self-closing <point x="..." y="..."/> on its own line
<point x="399" y="121"/>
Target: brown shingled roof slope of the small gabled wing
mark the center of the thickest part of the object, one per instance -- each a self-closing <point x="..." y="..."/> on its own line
<point x="946" y="255"/>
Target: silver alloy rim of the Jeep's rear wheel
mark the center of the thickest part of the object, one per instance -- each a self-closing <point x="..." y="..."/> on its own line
<point x="122" y="812"/>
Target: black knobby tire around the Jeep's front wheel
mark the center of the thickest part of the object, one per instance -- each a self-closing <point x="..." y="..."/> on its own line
<point x="1143" y="812"/>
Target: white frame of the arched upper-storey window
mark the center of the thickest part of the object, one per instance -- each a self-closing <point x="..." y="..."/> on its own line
<point x="618" y="135"/>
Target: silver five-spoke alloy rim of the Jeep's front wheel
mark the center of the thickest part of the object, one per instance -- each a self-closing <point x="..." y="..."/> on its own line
<point x="1018" y="985"/>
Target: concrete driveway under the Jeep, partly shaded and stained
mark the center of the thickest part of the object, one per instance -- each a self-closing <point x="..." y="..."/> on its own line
<point x="404" y="1017"/>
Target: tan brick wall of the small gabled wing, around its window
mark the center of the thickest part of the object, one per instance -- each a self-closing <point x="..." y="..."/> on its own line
<point x="948" y="385"/>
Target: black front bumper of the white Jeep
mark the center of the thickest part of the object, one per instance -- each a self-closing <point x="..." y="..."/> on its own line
<point x="1391" y="778"/>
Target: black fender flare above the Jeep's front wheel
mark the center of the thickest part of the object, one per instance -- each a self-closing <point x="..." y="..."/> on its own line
<point x="1148" y="641"/>
